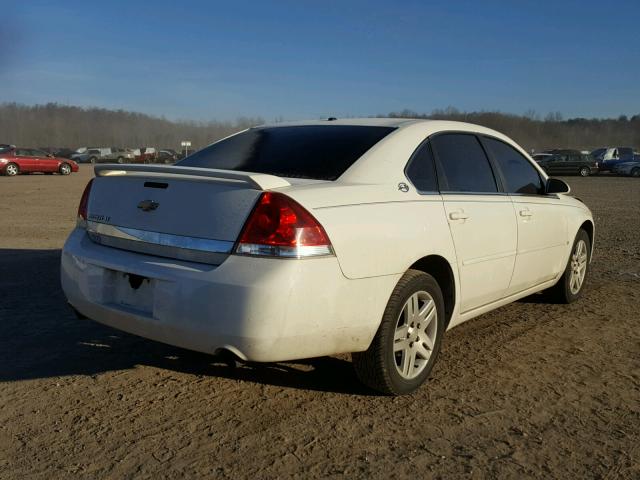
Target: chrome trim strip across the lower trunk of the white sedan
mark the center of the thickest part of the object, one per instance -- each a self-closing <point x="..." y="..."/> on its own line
<point x="192" y="249"/>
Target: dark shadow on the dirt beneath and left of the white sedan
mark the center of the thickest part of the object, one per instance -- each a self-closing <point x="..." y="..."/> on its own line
<point x="41" y="337"/>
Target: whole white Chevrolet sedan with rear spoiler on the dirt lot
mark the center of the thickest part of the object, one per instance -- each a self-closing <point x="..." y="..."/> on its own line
<point x="370" y="236"/>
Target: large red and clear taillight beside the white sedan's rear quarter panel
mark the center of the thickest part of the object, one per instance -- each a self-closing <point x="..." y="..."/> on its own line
<point x="278" y="226"/>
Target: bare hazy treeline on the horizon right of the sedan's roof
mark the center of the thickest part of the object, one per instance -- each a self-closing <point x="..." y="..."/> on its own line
<point x="533" y="132"/>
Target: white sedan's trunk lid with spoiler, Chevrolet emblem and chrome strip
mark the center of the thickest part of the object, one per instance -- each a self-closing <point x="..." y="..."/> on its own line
<point x="186" y="213"/>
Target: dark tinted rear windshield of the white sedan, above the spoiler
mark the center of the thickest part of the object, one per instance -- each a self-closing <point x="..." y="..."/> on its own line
<point x="321" y="152"/>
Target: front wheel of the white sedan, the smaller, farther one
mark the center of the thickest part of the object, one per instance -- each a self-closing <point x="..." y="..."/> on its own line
<point x="571" y="285"/>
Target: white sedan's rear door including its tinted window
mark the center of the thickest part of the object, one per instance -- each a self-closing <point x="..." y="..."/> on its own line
<point x="481" y="219"/>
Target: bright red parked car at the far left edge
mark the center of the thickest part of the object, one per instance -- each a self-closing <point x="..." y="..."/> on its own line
<point x="28" y="160"/>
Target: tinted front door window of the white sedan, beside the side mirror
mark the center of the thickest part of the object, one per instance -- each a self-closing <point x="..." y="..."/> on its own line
<point x="520" y="176"/>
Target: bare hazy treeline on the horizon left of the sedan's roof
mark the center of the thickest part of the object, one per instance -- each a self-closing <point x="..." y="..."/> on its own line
<point x="55" y="125"/>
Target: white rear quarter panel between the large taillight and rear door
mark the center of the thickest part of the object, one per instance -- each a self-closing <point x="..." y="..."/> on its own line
<point x="376" y="230"/>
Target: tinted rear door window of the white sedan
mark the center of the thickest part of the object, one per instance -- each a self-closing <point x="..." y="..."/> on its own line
<point x="462" y="164"/>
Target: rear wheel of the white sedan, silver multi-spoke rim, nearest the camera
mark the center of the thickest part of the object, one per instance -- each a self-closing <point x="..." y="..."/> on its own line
<point x="408" y="340"/>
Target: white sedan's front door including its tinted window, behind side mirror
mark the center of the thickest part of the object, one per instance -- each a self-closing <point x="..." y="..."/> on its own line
<point x="541" y="219"/>
